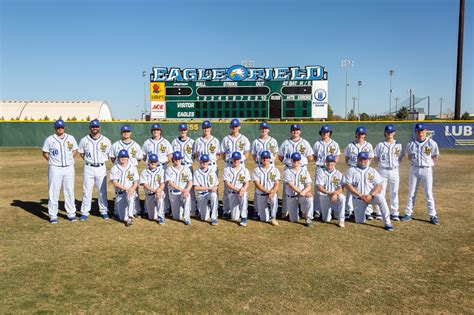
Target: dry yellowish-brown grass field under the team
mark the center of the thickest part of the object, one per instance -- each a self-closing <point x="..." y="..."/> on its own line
<point x="102" y="266"/>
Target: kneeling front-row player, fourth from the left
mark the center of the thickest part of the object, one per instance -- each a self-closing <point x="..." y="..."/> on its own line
<point x="205" y="183"/>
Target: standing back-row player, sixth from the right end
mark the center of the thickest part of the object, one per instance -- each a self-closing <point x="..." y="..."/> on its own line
<point x="263" y="143"/>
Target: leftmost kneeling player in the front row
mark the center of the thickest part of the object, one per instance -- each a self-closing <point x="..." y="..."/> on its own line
<point x="124" y="177"/>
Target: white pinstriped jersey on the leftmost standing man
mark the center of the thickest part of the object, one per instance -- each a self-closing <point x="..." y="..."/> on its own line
<point x="60" y="150"/>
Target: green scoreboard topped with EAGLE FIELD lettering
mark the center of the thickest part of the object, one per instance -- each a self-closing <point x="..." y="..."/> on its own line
<point x="239" y="92"/>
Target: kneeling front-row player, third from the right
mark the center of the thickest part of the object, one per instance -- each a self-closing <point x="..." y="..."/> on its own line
<point x="298" y="190"/>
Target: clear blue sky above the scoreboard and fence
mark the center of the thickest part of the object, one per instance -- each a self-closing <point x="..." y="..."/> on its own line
<point x="98" y="50"/>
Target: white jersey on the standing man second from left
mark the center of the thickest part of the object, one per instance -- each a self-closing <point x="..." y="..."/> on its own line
<point x="96" y="151"/>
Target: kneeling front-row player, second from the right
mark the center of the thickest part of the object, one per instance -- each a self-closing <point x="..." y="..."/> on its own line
<point x="331" y="197"/>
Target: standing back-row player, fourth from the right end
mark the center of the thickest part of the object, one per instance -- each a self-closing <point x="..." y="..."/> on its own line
<point x="321" y="149"/>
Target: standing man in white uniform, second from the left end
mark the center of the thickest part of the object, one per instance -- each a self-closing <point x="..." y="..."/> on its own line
<point x="94" y="150"/>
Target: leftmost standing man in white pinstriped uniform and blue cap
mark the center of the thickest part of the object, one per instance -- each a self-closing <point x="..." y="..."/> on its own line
<point x="59" y="150"/>
